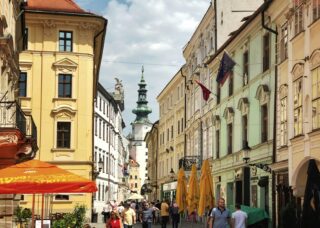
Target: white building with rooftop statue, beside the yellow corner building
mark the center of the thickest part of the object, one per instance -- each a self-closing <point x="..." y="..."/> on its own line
<point x="110" y="150"/>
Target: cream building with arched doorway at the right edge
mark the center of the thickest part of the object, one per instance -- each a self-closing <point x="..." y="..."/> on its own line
<point x="298" y="97"/>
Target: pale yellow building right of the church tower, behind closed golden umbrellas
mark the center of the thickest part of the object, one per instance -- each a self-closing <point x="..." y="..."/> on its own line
<point x="171" y="133"/>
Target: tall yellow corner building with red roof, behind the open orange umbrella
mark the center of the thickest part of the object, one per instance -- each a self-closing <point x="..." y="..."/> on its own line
<point x="60" y="68"/>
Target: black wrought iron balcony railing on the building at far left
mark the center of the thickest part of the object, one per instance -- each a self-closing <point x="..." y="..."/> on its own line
<point x="12" y="117"/>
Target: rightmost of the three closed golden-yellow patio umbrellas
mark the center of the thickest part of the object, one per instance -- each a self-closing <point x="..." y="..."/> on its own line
<point x="206" y="200"/>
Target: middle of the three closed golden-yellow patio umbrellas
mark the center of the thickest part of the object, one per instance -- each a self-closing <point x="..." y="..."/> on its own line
<point x="193" y="190"/>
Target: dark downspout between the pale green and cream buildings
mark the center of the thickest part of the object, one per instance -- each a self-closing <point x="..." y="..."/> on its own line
<point x="274" y="147"/>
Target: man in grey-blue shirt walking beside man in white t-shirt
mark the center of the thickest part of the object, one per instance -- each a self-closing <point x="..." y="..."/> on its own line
<point x="220" y="216"/>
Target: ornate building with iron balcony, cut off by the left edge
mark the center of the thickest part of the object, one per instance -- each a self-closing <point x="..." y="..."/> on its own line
<point x="18" y="132"/>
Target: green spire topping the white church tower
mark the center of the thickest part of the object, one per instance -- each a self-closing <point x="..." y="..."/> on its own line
<point x="142" y="110"/>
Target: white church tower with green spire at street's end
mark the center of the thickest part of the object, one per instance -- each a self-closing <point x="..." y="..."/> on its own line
<point x="140" y="126"/>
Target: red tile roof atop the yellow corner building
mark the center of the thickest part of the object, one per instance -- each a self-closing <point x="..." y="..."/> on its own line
<point x="54" y="5"/>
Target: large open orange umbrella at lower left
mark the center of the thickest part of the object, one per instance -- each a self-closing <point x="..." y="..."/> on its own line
<point x="35" y="176"/>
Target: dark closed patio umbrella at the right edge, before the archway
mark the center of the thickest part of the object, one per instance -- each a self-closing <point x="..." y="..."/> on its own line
<point x="311" y="204"/>
